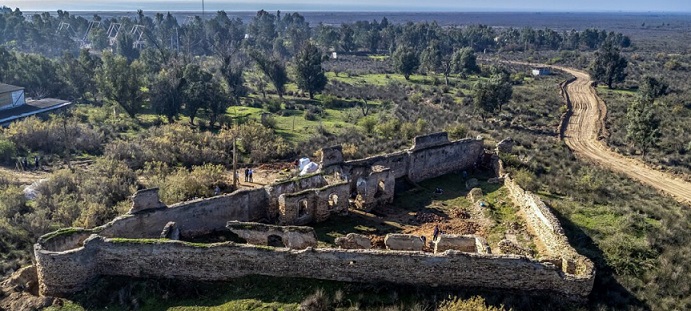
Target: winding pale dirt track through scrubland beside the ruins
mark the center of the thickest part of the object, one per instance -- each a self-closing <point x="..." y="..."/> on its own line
<point x="585" y="126"/>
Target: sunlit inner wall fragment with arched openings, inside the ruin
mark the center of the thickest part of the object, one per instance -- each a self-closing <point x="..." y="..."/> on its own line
<point x="316" y="205"/>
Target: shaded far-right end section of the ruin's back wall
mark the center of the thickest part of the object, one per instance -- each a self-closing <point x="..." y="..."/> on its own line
<point x="440" y="159"/>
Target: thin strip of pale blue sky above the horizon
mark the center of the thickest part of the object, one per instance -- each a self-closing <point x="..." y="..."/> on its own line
<point x="673" y="6"/>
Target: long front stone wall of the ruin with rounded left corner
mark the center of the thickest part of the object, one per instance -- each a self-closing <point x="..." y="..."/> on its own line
<point x="67" y="272"/>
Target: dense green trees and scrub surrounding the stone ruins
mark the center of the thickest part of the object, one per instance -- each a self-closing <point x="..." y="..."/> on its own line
<point x="166" y="115"/>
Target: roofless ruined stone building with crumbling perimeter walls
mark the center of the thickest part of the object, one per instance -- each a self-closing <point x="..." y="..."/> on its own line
<point x="69" y="259"/>
